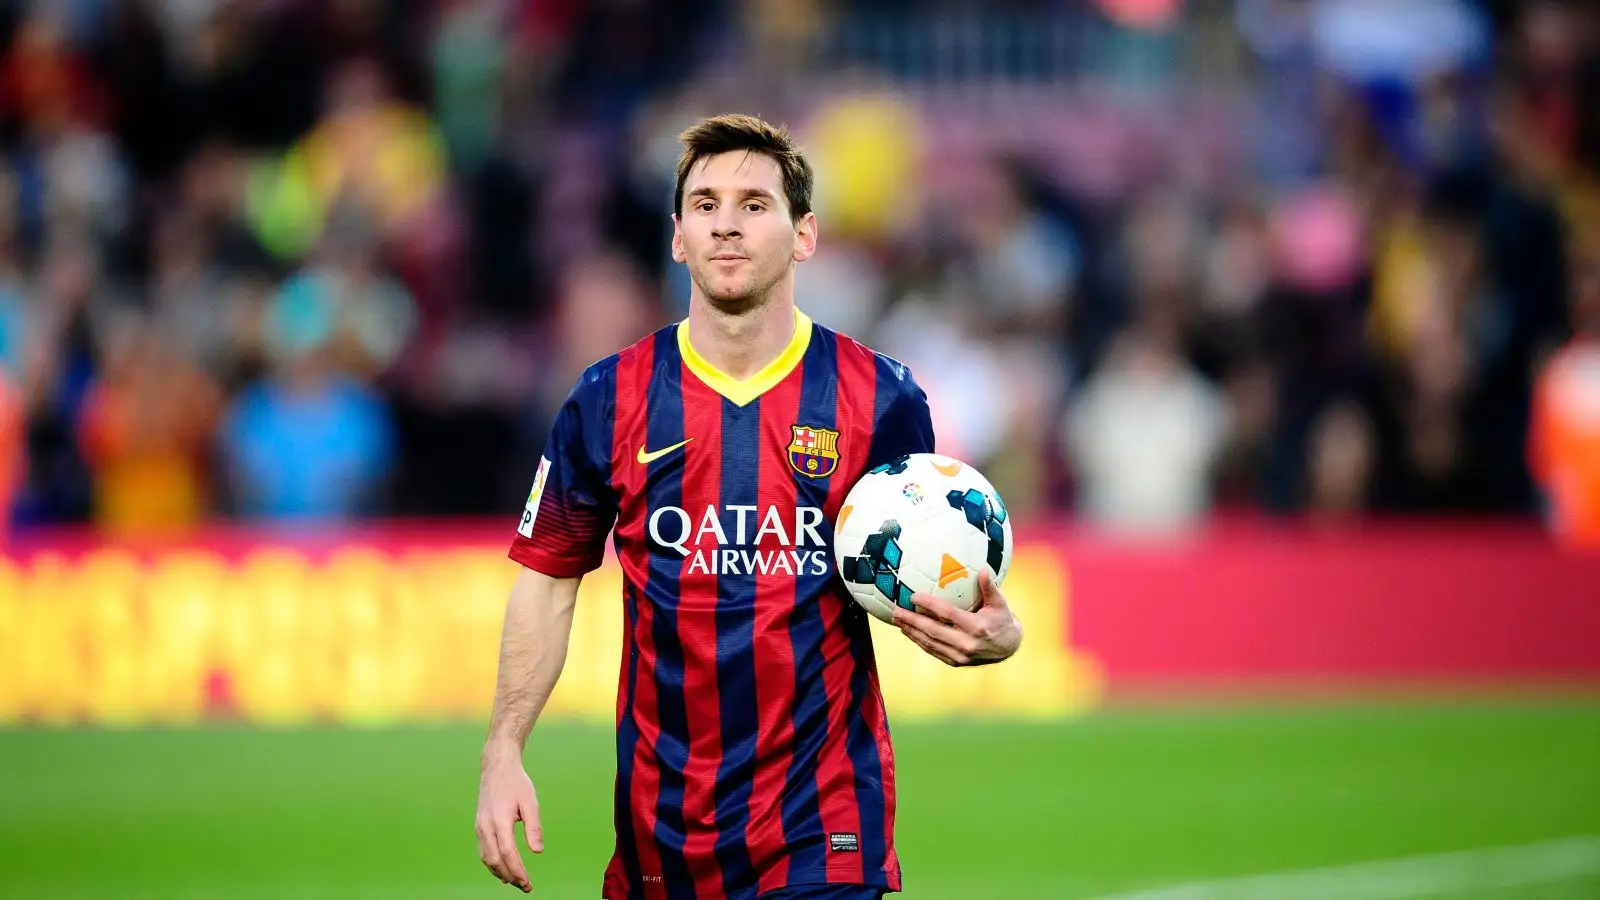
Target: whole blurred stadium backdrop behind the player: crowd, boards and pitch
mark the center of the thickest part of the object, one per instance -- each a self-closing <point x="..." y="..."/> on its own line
<point x="1250" y="308"/>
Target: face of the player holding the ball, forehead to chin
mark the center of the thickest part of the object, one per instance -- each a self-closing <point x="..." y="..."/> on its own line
<point x="735" y="231"/>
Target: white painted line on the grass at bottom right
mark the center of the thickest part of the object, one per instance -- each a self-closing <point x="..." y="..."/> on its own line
<point x="1407" y="878"/>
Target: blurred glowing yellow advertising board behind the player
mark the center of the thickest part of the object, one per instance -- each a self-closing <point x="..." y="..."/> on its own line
<point x="394" y="627"/>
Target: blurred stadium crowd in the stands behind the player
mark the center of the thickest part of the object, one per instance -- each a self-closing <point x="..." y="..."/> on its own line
<point x="1151" y="259"/>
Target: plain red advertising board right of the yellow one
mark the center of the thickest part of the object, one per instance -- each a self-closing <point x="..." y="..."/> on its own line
<point x="1406" y="603"/>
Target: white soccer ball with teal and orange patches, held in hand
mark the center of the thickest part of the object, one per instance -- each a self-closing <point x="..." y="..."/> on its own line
<point x="922" y="524"/>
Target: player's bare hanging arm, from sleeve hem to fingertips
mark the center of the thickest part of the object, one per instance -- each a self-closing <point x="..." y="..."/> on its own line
<point x="534" y="651"/>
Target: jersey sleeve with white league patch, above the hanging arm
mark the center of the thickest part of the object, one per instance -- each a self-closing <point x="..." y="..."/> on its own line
<point x="570" y="508"/>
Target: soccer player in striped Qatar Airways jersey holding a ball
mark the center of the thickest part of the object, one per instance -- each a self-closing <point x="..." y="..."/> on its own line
<point x="753" y="749"/>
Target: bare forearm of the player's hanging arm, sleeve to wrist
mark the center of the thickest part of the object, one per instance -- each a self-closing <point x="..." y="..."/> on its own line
<point x="534" y="651"/>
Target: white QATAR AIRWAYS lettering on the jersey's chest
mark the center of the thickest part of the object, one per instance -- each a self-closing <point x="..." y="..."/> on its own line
<point x="745" y="540"/>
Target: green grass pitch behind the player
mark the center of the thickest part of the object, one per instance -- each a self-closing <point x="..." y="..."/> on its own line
<point x="1110" y="803"/>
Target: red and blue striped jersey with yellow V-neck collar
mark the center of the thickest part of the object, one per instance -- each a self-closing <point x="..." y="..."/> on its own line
<point x="751" y="737"/>
